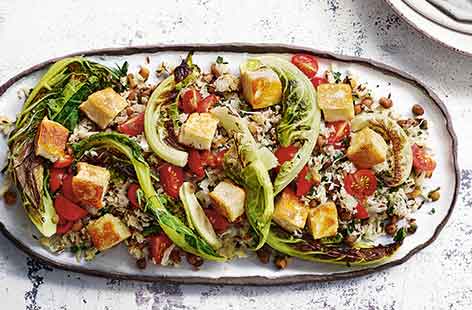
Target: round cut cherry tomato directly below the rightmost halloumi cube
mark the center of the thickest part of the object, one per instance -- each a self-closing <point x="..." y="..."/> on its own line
<point x="360" y="184"/>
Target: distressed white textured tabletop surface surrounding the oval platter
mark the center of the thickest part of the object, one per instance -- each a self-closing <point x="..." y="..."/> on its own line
<point x="439" y="277"/>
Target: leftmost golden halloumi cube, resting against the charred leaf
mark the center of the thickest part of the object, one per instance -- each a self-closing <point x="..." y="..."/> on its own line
<point x="51" y="140"/>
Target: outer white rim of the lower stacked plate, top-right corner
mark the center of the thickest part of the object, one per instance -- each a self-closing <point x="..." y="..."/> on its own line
<point x="458" y="41"/>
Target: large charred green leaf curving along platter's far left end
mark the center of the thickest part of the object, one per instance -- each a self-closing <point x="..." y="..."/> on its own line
<point x="57" y="95"/>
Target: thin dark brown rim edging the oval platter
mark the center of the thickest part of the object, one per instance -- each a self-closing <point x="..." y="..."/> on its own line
<point x="248" y="48"/>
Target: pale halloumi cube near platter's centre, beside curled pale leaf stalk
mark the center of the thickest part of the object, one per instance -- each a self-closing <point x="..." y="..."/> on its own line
<point x="198" y="131"/>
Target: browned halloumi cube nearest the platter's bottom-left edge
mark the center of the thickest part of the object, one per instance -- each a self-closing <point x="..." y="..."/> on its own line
<point x="107" y="231"/>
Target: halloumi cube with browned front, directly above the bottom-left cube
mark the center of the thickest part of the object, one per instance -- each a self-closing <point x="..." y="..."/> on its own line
<point x="90" y="185"/>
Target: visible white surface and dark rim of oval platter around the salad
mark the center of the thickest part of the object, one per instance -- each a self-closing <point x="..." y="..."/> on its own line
<point x="116" y="263"/>
